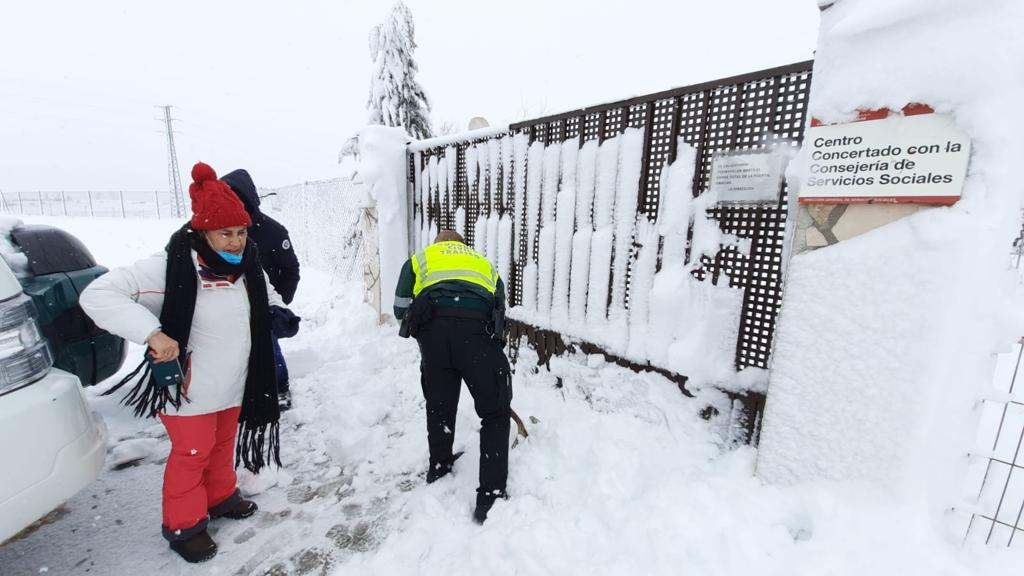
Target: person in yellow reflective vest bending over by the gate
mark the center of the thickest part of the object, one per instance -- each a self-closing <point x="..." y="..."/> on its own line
<point x="447" y="298"/>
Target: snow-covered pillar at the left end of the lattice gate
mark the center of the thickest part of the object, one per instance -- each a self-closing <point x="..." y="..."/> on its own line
<point x="382" y="168"/>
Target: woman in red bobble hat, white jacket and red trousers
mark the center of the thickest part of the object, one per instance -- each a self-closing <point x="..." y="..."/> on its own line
<point x="204" y="304"/>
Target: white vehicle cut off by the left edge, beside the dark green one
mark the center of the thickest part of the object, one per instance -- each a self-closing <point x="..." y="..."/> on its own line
<point x="52" y="445"/>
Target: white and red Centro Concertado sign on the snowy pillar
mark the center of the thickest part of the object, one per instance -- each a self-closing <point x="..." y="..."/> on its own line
<point x="917" y="157"/>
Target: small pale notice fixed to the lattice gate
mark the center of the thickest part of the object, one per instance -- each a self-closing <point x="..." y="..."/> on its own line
<point x="747" y="177"/>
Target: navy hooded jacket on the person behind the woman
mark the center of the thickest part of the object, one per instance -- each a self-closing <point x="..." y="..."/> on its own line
<point x="276" y="252"/>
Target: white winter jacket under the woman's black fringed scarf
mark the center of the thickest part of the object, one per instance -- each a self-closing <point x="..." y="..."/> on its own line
<point x="127" y="301"/>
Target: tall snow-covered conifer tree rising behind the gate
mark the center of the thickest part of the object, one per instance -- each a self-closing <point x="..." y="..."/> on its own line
<point x="396" y="98"/>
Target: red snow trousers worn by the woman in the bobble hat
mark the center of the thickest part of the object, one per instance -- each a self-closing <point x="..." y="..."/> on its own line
<point x="200" y="472"/>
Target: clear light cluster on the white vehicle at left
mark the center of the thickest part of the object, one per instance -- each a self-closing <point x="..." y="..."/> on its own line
<point x="25" y="356"/>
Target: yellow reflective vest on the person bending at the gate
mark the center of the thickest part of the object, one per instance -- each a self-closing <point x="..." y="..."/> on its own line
<point x="452" y="261"/>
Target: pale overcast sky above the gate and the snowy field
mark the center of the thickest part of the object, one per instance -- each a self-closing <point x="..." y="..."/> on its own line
<point x="277" y="88"/>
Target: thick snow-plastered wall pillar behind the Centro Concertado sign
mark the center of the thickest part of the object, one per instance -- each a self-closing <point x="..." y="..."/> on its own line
<point x="887" y="336"/>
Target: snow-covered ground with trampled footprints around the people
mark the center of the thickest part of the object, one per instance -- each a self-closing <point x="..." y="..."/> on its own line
<point x="620" y="476"/>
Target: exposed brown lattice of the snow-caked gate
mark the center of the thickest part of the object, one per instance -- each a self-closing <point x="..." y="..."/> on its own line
<point x="751" y="112"/>
